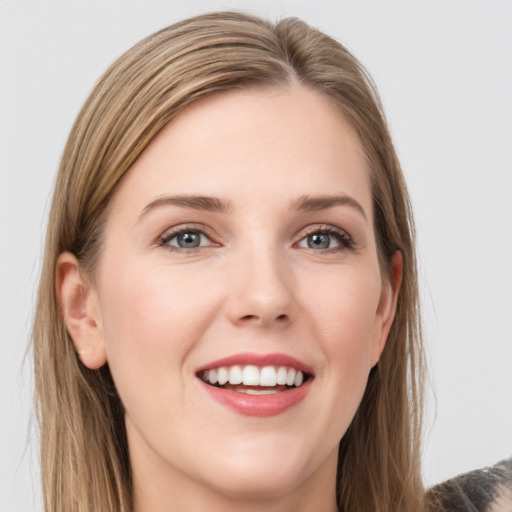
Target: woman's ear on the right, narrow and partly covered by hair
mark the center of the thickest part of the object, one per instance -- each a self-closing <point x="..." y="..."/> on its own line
<point x="387" y="305"/>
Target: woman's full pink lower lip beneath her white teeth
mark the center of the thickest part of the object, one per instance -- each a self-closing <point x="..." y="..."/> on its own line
<point x="262" y="406"/>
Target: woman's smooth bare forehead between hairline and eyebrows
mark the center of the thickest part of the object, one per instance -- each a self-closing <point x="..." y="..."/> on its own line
<point x="250" y="145"/>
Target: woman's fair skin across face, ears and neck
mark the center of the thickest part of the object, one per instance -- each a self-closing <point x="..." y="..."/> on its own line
<point x="157" y="313"/>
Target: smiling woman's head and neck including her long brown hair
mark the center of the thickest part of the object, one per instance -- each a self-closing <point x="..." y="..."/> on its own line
<point x="227" y="316"/>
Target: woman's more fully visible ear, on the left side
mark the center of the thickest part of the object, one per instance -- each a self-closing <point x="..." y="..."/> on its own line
<point x="79" y="304"/>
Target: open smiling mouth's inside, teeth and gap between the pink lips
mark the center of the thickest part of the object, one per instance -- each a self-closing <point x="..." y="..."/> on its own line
<point x="254" y="380"/>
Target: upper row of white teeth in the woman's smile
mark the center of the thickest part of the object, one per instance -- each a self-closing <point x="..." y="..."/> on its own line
<point x="251" y="375"/>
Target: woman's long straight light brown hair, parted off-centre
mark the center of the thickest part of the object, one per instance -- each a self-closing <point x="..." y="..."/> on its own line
<point x="85" y="460"/>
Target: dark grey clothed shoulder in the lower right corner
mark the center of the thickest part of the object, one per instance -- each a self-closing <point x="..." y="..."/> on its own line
<point x="483" y="490"/>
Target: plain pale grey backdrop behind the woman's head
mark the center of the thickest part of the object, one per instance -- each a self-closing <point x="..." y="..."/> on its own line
<point x="444" y="70"/>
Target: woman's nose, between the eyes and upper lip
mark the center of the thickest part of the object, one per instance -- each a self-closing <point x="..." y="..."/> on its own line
<point x="261" y="290"/>
